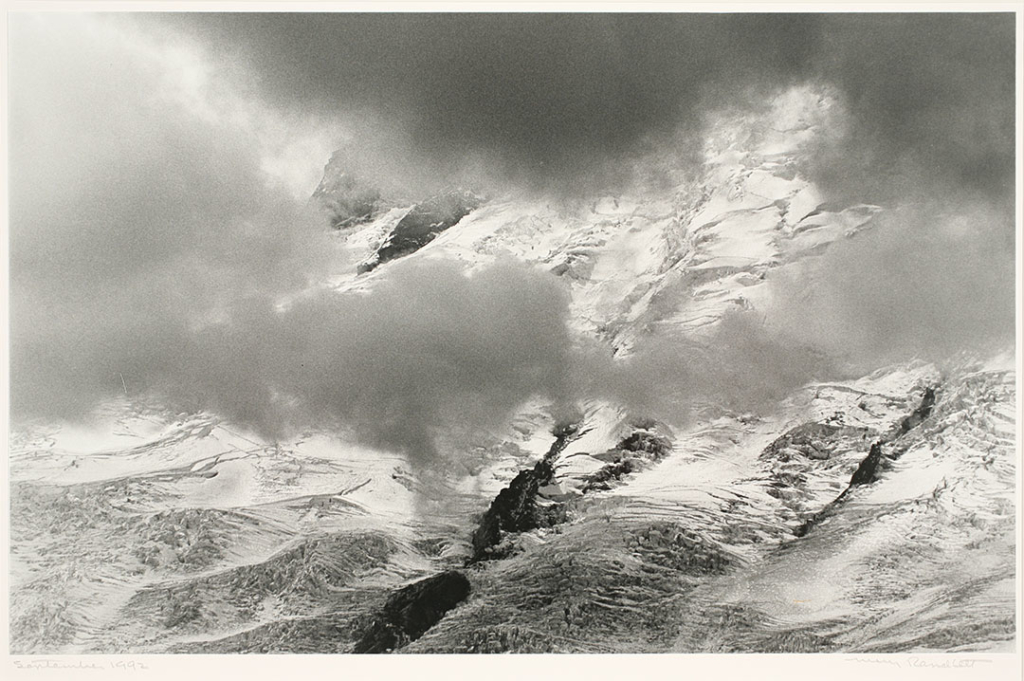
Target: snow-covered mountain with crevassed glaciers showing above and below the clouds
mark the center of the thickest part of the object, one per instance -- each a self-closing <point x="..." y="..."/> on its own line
<point x="872" y="515"/>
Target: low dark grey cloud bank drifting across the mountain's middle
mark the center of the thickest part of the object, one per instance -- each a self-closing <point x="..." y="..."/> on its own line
<point x="426" y="348"/>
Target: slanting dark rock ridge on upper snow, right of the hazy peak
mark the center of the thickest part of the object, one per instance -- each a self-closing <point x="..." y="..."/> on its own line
<point x="422" y="225"/>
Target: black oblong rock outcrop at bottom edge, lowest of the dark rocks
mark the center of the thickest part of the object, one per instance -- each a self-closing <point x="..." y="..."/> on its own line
<point x="409" y="613"/>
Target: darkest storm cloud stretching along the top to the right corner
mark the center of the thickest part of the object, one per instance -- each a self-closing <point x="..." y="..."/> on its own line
<point x="568" y="102"/>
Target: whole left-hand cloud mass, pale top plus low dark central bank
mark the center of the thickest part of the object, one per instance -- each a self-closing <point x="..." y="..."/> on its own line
<point x="150" y="257"/>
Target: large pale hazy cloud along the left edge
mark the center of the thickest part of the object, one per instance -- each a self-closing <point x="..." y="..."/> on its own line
<point x="134" y="218"/>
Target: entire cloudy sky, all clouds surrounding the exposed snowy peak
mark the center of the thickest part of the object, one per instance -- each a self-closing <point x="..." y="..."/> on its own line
<point x="160" y="168"/>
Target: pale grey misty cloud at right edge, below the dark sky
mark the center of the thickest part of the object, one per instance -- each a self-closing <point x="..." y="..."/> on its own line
<point x="925" y="282"/>
